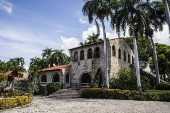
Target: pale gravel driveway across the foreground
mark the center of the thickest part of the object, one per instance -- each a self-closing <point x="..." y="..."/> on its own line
<point x="49" y="105"/>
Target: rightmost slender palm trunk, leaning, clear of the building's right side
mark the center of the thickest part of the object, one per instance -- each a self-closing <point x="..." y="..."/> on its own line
<point x="155" y="58"/>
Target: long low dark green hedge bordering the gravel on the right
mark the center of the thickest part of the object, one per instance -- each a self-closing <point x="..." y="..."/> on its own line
<point x="125" y="94"/>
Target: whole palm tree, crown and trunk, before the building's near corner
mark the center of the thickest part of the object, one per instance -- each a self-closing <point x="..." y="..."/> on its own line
<point x="99" y="10"/>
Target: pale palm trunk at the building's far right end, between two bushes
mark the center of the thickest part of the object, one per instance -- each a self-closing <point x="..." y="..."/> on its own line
<point x="137" y="68"/>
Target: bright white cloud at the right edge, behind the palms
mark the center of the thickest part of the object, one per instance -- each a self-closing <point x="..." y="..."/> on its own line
<point x="163" y="36"/>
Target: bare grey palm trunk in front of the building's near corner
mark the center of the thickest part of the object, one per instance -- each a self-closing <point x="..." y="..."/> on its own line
<point x="105" y="55"/>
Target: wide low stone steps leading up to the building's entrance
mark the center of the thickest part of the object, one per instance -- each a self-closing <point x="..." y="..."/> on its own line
<point x="65" y="94"/>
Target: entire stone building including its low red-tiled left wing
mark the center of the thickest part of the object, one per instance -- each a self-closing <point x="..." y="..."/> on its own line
<point x="87" y="65"/>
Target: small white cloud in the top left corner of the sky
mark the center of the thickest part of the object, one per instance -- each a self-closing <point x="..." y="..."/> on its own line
<point x="6" y="6"/>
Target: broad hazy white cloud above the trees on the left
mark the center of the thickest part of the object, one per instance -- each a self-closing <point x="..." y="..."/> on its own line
<point x="15" y="42"/>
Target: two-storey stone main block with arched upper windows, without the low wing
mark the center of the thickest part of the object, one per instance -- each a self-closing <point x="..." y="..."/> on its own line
<point x="88" y="61"/>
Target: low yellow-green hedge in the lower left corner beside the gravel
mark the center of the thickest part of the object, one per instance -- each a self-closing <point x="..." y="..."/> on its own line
<point x="15" y="101"/>
